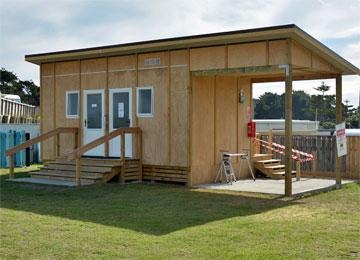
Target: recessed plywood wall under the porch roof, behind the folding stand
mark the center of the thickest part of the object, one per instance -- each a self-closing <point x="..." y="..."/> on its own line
<point x="219" y="122"/>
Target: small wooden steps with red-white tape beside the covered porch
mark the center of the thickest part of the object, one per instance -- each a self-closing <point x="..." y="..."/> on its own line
<point x="269" y="166"/>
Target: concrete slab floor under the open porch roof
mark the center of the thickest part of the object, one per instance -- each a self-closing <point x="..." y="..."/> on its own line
<point x="270" y="186"/>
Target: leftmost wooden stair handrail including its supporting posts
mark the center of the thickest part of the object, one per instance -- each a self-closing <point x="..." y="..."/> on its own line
<point x="56" y="132"/>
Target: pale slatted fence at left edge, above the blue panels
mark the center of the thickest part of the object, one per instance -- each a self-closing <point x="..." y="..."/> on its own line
<point x="14" y="112"/>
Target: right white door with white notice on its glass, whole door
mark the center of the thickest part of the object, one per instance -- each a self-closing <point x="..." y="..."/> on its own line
<point x="120" y="116"/>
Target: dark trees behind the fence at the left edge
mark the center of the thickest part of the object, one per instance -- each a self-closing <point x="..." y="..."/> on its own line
<point x="27" y="90"/>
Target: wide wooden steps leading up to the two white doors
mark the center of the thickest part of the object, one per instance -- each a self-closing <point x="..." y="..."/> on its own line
<point x="93" y="170"/>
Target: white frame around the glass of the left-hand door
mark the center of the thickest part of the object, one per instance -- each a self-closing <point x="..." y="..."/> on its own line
<point x="85" y="93"/>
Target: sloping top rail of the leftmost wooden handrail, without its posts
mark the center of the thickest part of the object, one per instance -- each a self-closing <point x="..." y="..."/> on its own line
<point x="40" y="138"/>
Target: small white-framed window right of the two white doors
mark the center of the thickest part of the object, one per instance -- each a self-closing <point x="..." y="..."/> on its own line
<point x="145" y="99"/>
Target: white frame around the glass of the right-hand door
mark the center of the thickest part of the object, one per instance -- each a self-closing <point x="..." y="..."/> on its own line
<point x="111" y="103"/>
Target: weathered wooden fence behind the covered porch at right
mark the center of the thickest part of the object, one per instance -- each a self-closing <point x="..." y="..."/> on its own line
<point x="324" y="148"/>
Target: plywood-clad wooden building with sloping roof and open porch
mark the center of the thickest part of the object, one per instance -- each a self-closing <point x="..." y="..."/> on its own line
<point x="190" y="96"/>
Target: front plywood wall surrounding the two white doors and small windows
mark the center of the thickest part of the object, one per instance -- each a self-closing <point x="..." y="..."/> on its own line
<point x="165" y="136"/>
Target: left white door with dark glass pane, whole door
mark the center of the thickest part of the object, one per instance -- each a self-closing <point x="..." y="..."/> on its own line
<point x="93" y="120"/>
